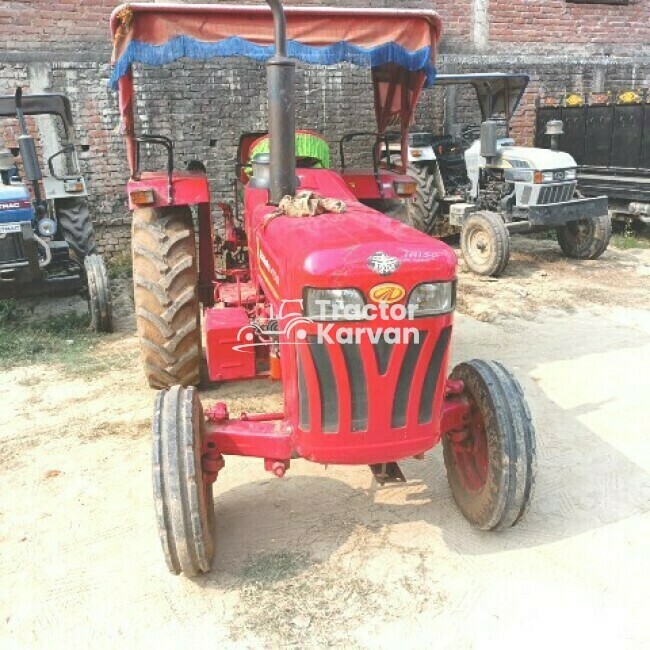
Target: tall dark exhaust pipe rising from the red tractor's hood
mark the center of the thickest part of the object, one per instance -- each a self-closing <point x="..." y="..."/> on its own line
<point x="281" y="74"/>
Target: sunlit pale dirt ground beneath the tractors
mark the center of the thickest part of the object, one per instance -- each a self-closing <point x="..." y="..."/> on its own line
<point x="324" y="557"/>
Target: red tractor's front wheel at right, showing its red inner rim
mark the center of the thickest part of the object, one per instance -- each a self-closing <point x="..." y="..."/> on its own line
<point x="491" y="465"/>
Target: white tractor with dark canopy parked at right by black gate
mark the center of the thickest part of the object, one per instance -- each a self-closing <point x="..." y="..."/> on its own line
<point x="475" y="181"/>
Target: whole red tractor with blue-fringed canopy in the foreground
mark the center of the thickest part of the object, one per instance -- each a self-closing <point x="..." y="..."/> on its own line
<point x="352" y="310"/>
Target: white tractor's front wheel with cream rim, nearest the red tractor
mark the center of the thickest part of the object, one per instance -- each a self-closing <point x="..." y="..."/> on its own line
<point x="485" y="243"/>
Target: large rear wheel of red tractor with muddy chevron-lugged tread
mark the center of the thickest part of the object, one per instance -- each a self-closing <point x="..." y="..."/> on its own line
<point x="165" y="279"/>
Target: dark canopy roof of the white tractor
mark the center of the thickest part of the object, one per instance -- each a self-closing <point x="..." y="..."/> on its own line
<point x="497" y="92"/>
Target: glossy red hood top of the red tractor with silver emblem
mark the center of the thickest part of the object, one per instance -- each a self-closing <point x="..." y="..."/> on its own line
<point x="360" y="248"/>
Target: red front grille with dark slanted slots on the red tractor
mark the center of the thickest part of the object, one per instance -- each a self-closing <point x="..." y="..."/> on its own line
<point x="354" y="380"/>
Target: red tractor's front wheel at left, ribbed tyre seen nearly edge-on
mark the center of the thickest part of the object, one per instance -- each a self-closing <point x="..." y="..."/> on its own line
<point x="183" y="501"/>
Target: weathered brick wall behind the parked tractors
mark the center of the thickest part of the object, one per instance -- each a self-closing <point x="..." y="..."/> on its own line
<point x="63" y="45"/>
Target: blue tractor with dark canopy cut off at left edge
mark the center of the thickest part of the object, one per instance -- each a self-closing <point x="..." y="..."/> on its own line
<point x="47" y="240"/>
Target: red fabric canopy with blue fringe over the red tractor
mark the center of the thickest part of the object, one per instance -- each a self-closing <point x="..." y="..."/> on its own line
<point x="398" y="45"/>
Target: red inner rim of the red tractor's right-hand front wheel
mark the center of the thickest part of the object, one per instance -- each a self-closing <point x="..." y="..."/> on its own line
<point x="470" y="451"/>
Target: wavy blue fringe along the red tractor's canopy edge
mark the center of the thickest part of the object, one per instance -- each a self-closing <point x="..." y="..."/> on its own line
<point x="187" y="47"/>
